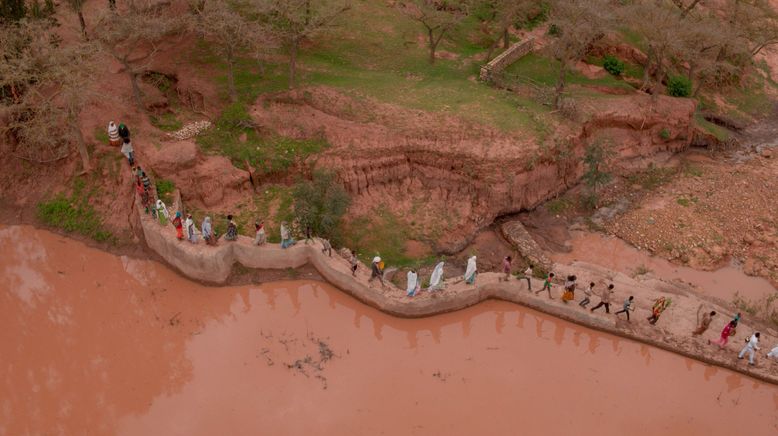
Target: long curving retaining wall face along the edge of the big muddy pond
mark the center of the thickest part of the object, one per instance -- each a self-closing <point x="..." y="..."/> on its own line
<point x="214" y="265"/>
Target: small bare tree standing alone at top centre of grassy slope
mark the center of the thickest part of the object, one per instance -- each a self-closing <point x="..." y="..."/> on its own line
<point x="437" y="16"/>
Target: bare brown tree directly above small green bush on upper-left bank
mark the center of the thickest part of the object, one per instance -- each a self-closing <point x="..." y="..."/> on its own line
<point x="230" y="27"/>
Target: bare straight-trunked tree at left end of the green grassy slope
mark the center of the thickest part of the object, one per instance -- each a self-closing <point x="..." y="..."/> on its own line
<point x="294" y="21"/>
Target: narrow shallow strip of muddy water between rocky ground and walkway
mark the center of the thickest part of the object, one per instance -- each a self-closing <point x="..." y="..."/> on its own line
<point x="615" y="254"/>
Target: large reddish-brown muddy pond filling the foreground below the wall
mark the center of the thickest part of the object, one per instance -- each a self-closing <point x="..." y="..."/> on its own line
<point x="98" y="344"/>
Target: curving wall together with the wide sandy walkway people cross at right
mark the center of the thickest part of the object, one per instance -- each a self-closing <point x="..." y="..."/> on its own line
<point x="213" y="264"/>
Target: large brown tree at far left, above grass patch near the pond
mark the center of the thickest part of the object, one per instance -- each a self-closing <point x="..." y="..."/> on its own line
<point x="47" y="87"/>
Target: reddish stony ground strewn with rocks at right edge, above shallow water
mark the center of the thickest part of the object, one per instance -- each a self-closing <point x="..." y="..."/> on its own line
<point x="710" y="212"/>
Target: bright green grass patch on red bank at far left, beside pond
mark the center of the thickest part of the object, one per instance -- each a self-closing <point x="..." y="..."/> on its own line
<point x="74" y="214"/>
